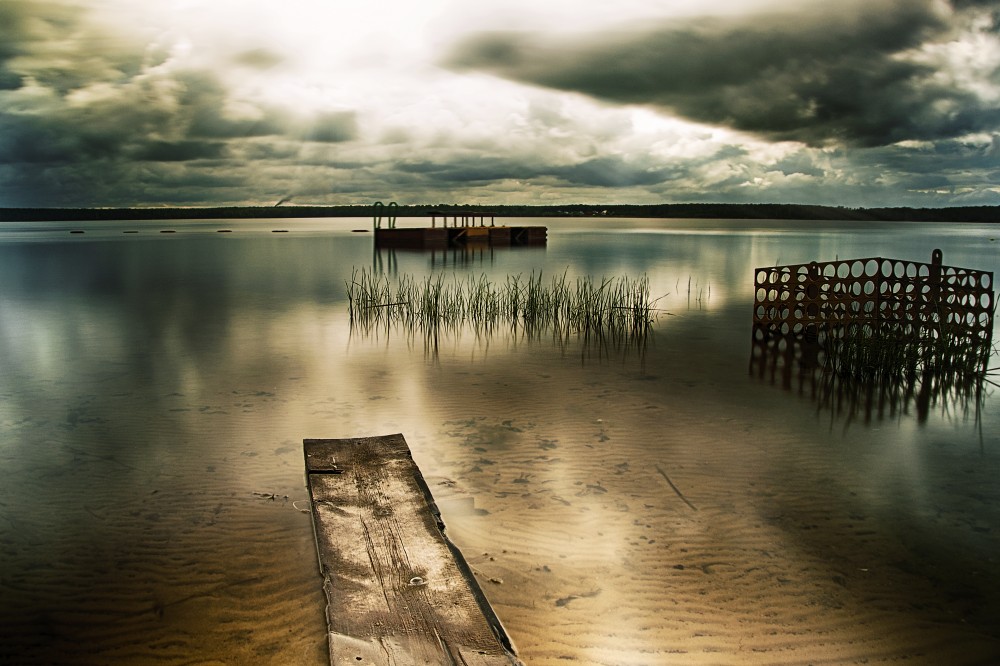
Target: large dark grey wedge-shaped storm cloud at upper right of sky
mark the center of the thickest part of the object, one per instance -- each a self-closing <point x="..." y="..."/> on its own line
<point x="830" y="75"/>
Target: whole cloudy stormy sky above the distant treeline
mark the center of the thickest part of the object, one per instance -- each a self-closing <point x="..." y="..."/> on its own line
<point x="220" y="102"/>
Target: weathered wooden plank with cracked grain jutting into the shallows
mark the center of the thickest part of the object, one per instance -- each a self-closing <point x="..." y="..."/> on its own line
<point x="398" y="591"/>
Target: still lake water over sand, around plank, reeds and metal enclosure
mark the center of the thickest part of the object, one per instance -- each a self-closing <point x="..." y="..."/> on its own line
<point x="620" y="505"/>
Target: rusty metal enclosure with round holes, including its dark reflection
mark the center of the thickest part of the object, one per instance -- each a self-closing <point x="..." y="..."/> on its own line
<point x="873" y="337"/>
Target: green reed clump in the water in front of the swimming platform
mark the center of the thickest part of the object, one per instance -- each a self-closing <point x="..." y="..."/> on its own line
<point x="619" y="305"/>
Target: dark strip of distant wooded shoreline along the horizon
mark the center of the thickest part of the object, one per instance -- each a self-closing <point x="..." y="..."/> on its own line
<point x="989" y="214"/>
